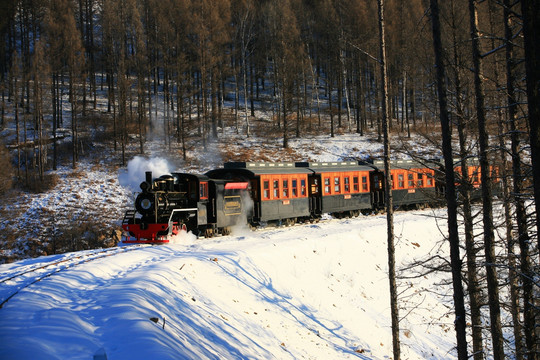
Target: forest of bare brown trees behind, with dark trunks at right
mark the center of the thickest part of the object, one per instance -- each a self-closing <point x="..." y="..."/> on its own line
<point x="467" y="68"/>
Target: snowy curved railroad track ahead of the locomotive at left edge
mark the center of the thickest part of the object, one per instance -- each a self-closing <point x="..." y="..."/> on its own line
<point x="54" y="267"/>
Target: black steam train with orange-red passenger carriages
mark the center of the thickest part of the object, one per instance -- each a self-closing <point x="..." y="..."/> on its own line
<point x="284" y="193"/>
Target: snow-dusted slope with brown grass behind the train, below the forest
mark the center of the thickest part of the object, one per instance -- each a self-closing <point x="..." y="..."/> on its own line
<point x="84" y="207"/>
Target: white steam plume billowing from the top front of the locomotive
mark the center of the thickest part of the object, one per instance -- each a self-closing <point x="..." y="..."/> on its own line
<point x="135" y="173"/>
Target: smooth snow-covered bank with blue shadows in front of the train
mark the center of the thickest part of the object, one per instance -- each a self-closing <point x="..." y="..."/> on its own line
<point x="311" y="291"/>
